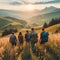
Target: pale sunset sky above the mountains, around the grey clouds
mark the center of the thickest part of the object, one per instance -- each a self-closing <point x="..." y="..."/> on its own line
<point x="5" y="4"/>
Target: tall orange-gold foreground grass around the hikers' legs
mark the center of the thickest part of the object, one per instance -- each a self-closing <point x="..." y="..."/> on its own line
<point x="53" y="46"/>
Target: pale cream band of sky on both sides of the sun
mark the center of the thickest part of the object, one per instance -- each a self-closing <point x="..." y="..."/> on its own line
<point x="24" y="7"/>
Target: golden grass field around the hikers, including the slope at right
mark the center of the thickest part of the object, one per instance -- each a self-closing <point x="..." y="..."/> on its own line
<point x="53" y="46"/>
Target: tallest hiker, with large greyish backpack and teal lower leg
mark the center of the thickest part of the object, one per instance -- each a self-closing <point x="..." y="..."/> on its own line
<point x="34" y="39"/>
